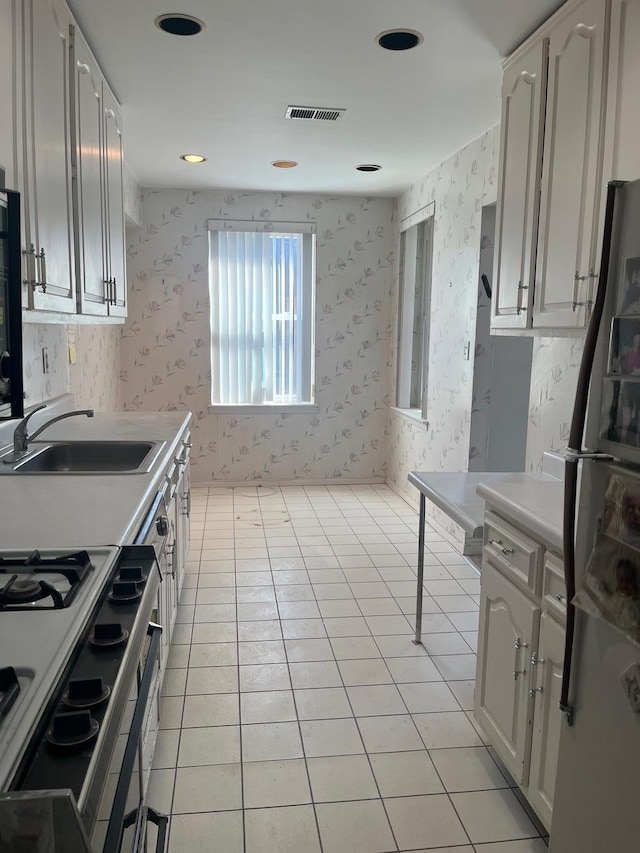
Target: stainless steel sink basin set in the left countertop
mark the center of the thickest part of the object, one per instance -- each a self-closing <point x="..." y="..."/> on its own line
<point x="91" y="457"/>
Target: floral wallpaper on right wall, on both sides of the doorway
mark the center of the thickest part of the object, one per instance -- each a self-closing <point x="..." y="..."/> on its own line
<point x="460" y="187"/>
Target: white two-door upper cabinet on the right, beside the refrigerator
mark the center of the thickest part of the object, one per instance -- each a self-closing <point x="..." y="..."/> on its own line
<point x="552" y="172"/>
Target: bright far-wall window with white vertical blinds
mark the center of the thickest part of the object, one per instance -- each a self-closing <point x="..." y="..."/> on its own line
<point x="262" y="286"/>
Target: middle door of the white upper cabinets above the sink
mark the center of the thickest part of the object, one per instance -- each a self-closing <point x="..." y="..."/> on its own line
<point x="89" y="196"/>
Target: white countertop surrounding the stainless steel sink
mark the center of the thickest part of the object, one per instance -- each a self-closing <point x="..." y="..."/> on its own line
<point x="80" y="510"/>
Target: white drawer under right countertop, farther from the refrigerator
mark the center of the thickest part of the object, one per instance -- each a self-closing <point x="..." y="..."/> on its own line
<point x="512" y="552"/>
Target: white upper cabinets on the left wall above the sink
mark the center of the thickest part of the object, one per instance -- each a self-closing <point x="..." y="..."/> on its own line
<point x="69" y="171"/>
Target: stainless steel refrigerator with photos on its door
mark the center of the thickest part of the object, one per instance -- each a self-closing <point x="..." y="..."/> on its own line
<point x="597" y="795"/>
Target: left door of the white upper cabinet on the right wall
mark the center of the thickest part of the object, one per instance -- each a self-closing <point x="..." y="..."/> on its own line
<point x="523" y="100"/>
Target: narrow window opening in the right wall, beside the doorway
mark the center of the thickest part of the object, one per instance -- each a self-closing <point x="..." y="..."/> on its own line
<point x="414" y="316"/>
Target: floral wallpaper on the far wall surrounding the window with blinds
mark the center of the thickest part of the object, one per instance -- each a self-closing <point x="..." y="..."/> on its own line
<point x="164" y="351"/>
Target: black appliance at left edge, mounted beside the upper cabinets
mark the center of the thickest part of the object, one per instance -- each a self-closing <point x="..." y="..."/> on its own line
<point x="11" y="391"/>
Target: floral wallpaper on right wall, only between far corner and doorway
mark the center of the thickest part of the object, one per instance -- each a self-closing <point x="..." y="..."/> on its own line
<point x="459" y="187"/>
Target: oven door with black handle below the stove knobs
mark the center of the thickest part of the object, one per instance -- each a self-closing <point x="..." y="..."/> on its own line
<point x="124" y="816"/>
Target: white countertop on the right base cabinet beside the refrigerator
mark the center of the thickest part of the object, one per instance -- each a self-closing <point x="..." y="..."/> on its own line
<point x="532" y="501"/>
